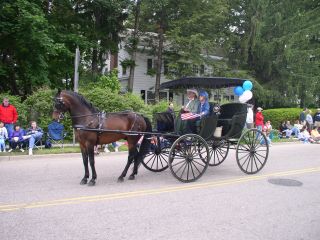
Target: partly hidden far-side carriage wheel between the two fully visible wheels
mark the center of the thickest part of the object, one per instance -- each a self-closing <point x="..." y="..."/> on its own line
<point x="218" y="150"/>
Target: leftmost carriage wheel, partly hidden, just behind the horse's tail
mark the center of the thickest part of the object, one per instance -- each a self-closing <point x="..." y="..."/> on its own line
<point x="157" y="159"/>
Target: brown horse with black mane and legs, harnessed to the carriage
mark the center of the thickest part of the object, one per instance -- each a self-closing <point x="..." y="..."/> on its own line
<point x="85" y="115"/>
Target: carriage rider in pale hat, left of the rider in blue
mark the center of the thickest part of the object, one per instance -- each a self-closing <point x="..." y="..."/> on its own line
<point x="191" y="106"/>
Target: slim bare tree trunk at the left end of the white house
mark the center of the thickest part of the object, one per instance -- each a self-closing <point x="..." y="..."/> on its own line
<point x="134" y="46"/>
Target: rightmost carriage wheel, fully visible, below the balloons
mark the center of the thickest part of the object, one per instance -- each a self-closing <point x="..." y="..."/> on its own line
<point x="252" y="151"/>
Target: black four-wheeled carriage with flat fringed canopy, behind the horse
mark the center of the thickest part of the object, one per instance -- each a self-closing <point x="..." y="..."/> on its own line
<point x="189" y="155"/>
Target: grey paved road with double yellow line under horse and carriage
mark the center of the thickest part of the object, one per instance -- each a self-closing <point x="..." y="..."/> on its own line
<point x="40" y="198"/>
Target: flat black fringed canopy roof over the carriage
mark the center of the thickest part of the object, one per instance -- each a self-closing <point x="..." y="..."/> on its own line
<point x="202" y="82"/>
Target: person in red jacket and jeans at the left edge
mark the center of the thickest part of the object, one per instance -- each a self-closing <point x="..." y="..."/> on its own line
<point x="8" y="115"/>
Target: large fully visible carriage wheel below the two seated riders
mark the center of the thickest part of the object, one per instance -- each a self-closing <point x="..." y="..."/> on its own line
<point x="189" y="158"/>
